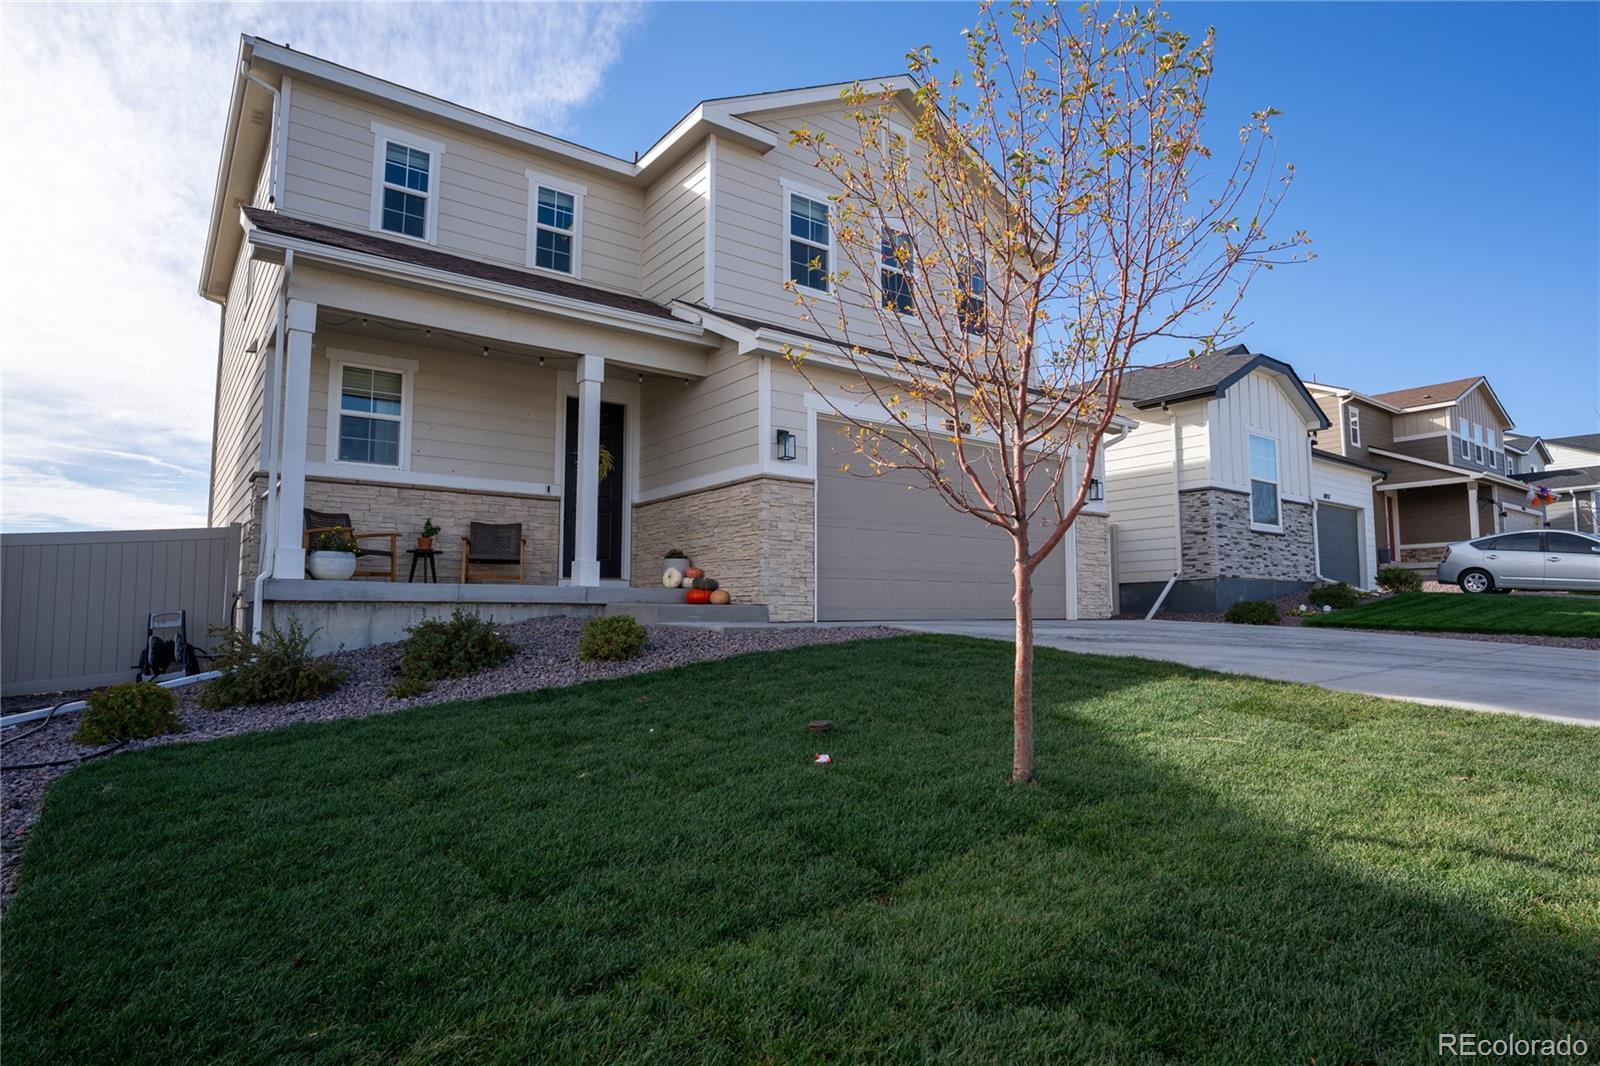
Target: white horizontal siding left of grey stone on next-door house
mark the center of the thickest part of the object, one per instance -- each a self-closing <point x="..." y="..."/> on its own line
<point x="1140" y="497"/>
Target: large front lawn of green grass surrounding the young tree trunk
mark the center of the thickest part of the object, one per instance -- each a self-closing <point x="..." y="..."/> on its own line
<point x="1210" y="870"/>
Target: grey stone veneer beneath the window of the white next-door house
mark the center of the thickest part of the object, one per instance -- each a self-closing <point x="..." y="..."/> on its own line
<point x="1218" y="540"/>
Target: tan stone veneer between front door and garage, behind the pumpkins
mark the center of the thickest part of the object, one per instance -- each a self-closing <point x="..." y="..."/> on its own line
<point x="754" y="537"/>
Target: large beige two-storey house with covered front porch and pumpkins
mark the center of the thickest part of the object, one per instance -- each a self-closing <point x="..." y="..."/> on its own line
<point x="436" y="315"/>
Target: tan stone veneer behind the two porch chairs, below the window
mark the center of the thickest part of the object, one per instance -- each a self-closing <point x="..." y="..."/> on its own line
<point x="404" y="508"/>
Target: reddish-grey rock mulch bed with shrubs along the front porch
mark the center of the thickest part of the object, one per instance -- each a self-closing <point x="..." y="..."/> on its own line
<point x="546" y="659"/>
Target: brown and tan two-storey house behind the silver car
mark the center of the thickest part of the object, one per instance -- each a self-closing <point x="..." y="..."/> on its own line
<point x="1447" y="459"/>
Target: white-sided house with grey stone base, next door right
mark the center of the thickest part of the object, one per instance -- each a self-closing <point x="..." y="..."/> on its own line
<point x="1218" y="492"/>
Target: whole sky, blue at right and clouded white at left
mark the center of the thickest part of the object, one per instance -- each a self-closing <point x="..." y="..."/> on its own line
<point x="1449" y="164"/>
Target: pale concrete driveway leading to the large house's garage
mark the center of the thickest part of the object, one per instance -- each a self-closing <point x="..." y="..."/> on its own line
<point x="1558" y="684"/>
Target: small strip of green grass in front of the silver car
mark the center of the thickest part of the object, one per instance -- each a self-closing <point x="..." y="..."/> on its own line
<point x="1442" y="612"/>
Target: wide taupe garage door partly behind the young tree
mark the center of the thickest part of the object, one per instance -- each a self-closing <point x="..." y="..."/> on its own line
<point x="890" y="548"/>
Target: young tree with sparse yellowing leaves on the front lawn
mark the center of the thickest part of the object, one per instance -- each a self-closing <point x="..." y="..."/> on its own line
<point x="1004" y="258"/>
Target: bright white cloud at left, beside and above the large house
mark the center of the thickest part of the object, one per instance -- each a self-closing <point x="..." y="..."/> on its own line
<point x="113" y="119"/>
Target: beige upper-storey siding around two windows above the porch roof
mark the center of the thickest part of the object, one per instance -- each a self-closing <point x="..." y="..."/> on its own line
<point x="482" y="188"/>
